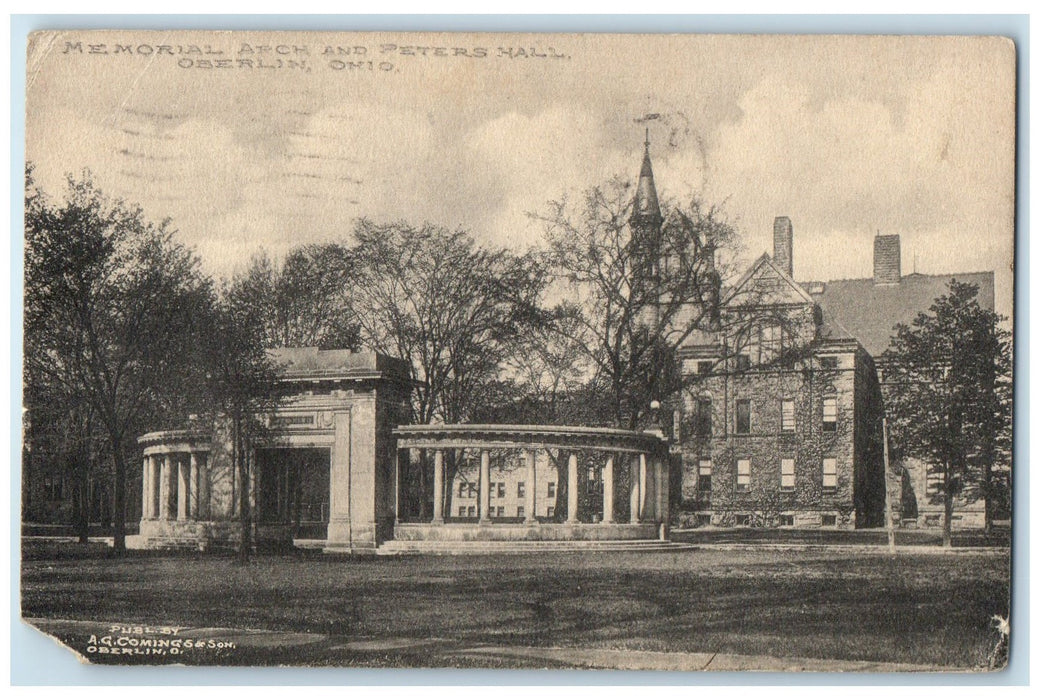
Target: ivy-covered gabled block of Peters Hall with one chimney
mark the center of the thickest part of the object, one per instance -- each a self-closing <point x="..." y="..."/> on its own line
<point x="782" y="420"/>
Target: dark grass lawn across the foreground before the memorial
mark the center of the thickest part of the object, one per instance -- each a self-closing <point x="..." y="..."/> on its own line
<point x="916" y="609"/>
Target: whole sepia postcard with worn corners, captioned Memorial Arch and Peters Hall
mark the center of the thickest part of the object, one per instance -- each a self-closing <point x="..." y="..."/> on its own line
<point x="519" y="351"/>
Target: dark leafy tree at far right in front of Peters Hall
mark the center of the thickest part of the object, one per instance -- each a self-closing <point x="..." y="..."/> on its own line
<point x="951" y="397"/>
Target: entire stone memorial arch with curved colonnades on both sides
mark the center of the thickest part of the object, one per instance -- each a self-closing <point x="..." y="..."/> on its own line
<point x="345" y="461"/>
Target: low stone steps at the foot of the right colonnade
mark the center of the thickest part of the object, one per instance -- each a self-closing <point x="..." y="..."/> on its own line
<point x="396" y="548"/>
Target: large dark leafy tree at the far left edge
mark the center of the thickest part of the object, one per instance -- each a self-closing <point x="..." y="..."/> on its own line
<point x="110" y="312"/>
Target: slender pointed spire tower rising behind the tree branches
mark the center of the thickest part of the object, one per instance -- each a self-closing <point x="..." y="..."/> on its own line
<point x="645" y="224"/>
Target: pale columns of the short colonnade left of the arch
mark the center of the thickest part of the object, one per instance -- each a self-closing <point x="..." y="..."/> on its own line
<point x="183" y="474"/>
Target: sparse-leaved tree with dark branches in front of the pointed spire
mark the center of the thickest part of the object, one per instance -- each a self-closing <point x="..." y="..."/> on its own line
<point x="639" y="300"/>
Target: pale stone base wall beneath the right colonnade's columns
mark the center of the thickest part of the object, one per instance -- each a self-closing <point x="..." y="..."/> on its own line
<point x="521" y="533"/>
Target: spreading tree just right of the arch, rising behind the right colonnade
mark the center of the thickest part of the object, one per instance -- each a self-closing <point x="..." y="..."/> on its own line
<point x="452" y="309"/>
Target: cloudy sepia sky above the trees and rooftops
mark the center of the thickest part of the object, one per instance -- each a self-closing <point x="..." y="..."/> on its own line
<point x="848" y="137"/>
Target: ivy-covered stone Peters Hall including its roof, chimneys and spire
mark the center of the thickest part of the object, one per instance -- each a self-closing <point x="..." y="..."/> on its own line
<point x="781" y="419"/>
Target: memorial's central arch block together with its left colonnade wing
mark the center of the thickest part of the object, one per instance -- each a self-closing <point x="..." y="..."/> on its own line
<point x="329" y="474"/>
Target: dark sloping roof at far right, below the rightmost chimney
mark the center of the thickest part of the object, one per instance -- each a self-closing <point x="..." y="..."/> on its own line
<point x="870" y="312"/>
